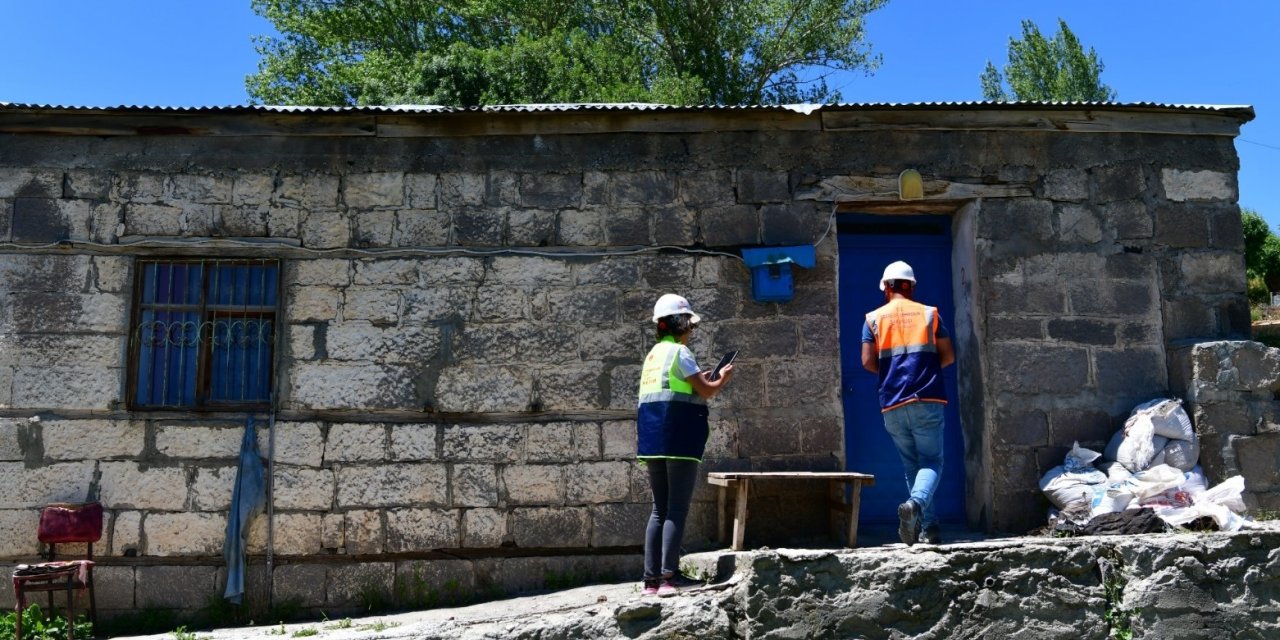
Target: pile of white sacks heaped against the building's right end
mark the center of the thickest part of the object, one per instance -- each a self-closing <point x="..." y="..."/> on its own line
<point x="1149" y="468"/>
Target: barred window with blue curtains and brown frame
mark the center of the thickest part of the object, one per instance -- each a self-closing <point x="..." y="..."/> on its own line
<point x="204" y="333"/>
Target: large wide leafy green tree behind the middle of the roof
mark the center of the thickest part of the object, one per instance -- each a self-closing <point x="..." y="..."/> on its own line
<point x="508" y="52"/>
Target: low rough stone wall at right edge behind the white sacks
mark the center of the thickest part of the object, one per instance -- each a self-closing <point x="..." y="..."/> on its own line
<point x="1232" y="394"/>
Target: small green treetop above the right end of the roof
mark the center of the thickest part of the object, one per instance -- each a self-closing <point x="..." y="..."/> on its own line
<point x="1048" y="71"/>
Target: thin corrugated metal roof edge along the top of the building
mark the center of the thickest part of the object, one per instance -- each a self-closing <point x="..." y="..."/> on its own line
<point x="1245" y="112"/>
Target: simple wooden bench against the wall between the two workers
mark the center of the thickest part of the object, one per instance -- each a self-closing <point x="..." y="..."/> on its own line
<point x="740" y="483"/>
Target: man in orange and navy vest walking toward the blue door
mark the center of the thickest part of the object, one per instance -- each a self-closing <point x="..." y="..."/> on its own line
<point x="906" y="345"/>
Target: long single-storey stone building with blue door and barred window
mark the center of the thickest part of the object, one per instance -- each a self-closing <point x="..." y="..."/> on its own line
<point x="442" y="313"/>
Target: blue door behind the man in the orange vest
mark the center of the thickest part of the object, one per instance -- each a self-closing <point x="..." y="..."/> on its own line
<point x="867" y="244"/>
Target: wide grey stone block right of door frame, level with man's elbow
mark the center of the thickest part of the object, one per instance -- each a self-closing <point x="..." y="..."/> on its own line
<point x="1032" y="369"/>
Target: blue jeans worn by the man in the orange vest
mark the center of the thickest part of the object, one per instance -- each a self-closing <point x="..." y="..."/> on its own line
<point x="917" y="431"/>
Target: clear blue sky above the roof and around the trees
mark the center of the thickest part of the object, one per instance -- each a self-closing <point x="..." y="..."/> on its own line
<point x="198" y="53"/>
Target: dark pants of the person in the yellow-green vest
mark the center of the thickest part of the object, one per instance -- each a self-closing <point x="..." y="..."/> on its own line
<point x="673" y="484"/>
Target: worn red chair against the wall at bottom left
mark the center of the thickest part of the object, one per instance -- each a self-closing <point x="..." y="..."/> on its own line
<point x="62" y="524"/>
